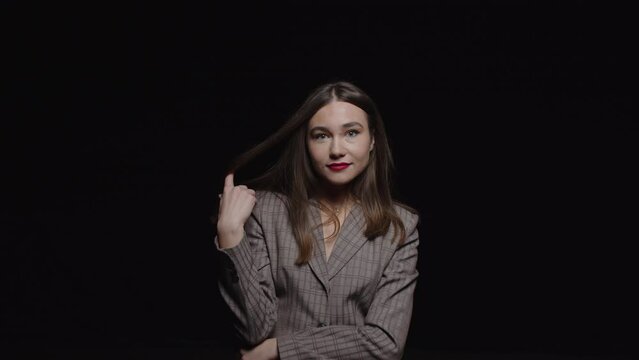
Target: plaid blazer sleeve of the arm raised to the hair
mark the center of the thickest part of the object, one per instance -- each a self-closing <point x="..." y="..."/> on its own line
<point x="246" y="284"/>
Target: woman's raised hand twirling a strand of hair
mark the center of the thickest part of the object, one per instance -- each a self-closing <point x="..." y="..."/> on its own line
<point x="236" y="204"/>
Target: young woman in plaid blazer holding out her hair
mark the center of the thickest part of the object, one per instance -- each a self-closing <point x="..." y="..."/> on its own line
<point x="319" y="261"/>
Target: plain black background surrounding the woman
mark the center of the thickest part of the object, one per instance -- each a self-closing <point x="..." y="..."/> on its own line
<point x="512" y="128"/>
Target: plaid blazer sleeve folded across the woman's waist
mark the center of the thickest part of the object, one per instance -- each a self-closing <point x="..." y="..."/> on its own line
<point x="384" y="333"/>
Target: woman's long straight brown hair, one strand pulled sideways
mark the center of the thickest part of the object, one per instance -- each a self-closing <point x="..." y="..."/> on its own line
<point x="292" y="174"/>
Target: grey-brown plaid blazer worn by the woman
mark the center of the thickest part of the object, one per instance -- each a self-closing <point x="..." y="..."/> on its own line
<point x="356" y="305"/>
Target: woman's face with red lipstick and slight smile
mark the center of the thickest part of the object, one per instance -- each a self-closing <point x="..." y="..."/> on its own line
<point x="339" y="142"/>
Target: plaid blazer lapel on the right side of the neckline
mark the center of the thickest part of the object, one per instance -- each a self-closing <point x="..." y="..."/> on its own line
<point x="350" y="239"/>
